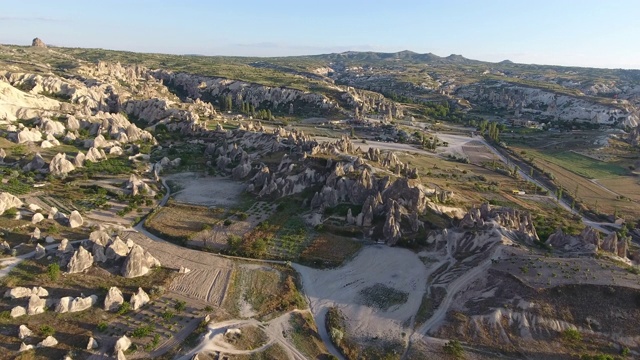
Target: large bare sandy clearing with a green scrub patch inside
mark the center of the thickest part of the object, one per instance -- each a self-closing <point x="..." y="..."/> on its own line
<point x="401" y="270"/>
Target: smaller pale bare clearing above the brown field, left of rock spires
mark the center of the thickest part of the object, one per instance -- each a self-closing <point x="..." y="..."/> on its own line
<point x="206" y="190"/>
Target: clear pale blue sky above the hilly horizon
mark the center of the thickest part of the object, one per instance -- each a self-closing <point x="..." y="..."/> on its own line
<point x="603" y="33"/>
